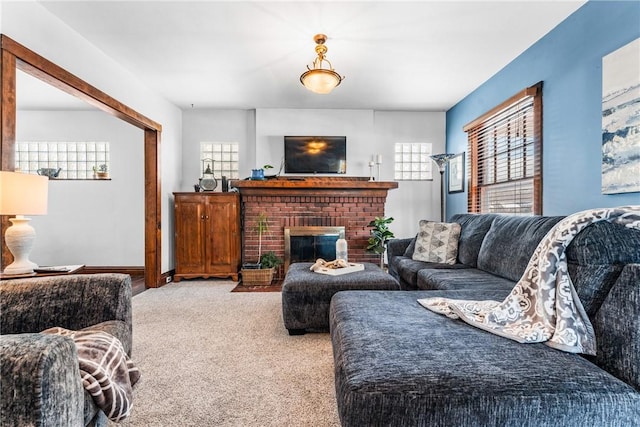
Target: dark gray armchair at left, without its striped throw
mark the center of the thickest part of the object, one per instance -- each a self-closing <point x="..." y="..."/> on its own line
<point x="41" y="382"/>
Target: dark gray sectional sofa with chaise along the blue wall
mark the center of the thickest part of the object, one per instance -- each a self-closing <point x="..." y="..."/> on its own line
<point x="398" y="364"/>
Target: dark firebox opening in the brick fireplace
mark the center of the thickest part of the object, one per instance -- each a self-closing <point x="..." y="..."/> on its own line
<point x="306" y="244"/>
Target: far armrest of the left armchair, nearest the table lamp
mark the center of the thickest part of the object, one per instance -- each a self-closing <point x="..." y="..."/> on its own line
<point x="69" y="301"/>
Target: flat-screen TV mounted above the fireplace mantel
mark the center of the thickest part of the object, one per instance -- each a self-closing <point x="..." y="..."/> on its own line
<point x="315" y="154"/>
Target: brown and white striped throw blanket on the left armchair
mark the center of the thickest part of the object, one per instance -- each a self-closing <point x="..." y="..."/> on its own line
<point x="106" y="370"/>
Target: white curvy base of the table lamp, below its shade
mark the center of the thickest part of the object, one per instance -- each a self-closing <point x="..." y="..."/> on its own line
<point x="19" y="238"/>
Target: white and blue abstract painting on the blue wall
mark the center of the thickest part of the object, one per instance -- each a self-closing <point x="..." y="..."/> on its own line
<point x="621" y="120"/>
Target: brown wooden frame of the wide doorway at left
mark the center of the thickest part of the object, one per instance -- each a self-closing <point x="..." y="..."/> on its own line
<point x="17" y="57"/>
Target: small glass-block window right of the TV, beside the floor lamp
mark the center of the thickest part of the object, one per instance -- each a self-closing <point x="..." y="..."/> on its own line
<point x="412" y="161"/>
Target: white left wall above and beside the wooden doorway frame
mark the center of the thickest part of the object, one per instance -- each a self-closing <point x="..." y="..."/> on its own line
<point x="30" y="24"/>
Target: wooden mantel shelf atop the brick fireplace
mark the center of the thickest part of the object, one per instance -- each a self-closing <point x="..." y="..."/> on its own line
<point x="322" y="186"/>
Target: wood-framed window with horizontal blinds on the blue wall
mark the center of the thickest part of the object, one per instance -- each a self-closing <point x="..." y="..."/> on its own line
<point x="505" y="146"/>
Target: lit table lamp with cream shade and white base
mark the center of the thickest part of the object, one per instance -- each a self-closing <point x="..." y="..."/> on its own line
<point x="21" y="194"/>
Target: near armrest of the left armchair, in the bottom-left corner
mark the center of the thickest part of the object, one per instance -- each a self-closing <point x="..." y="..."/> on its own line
<point x="41" y="382"/>
